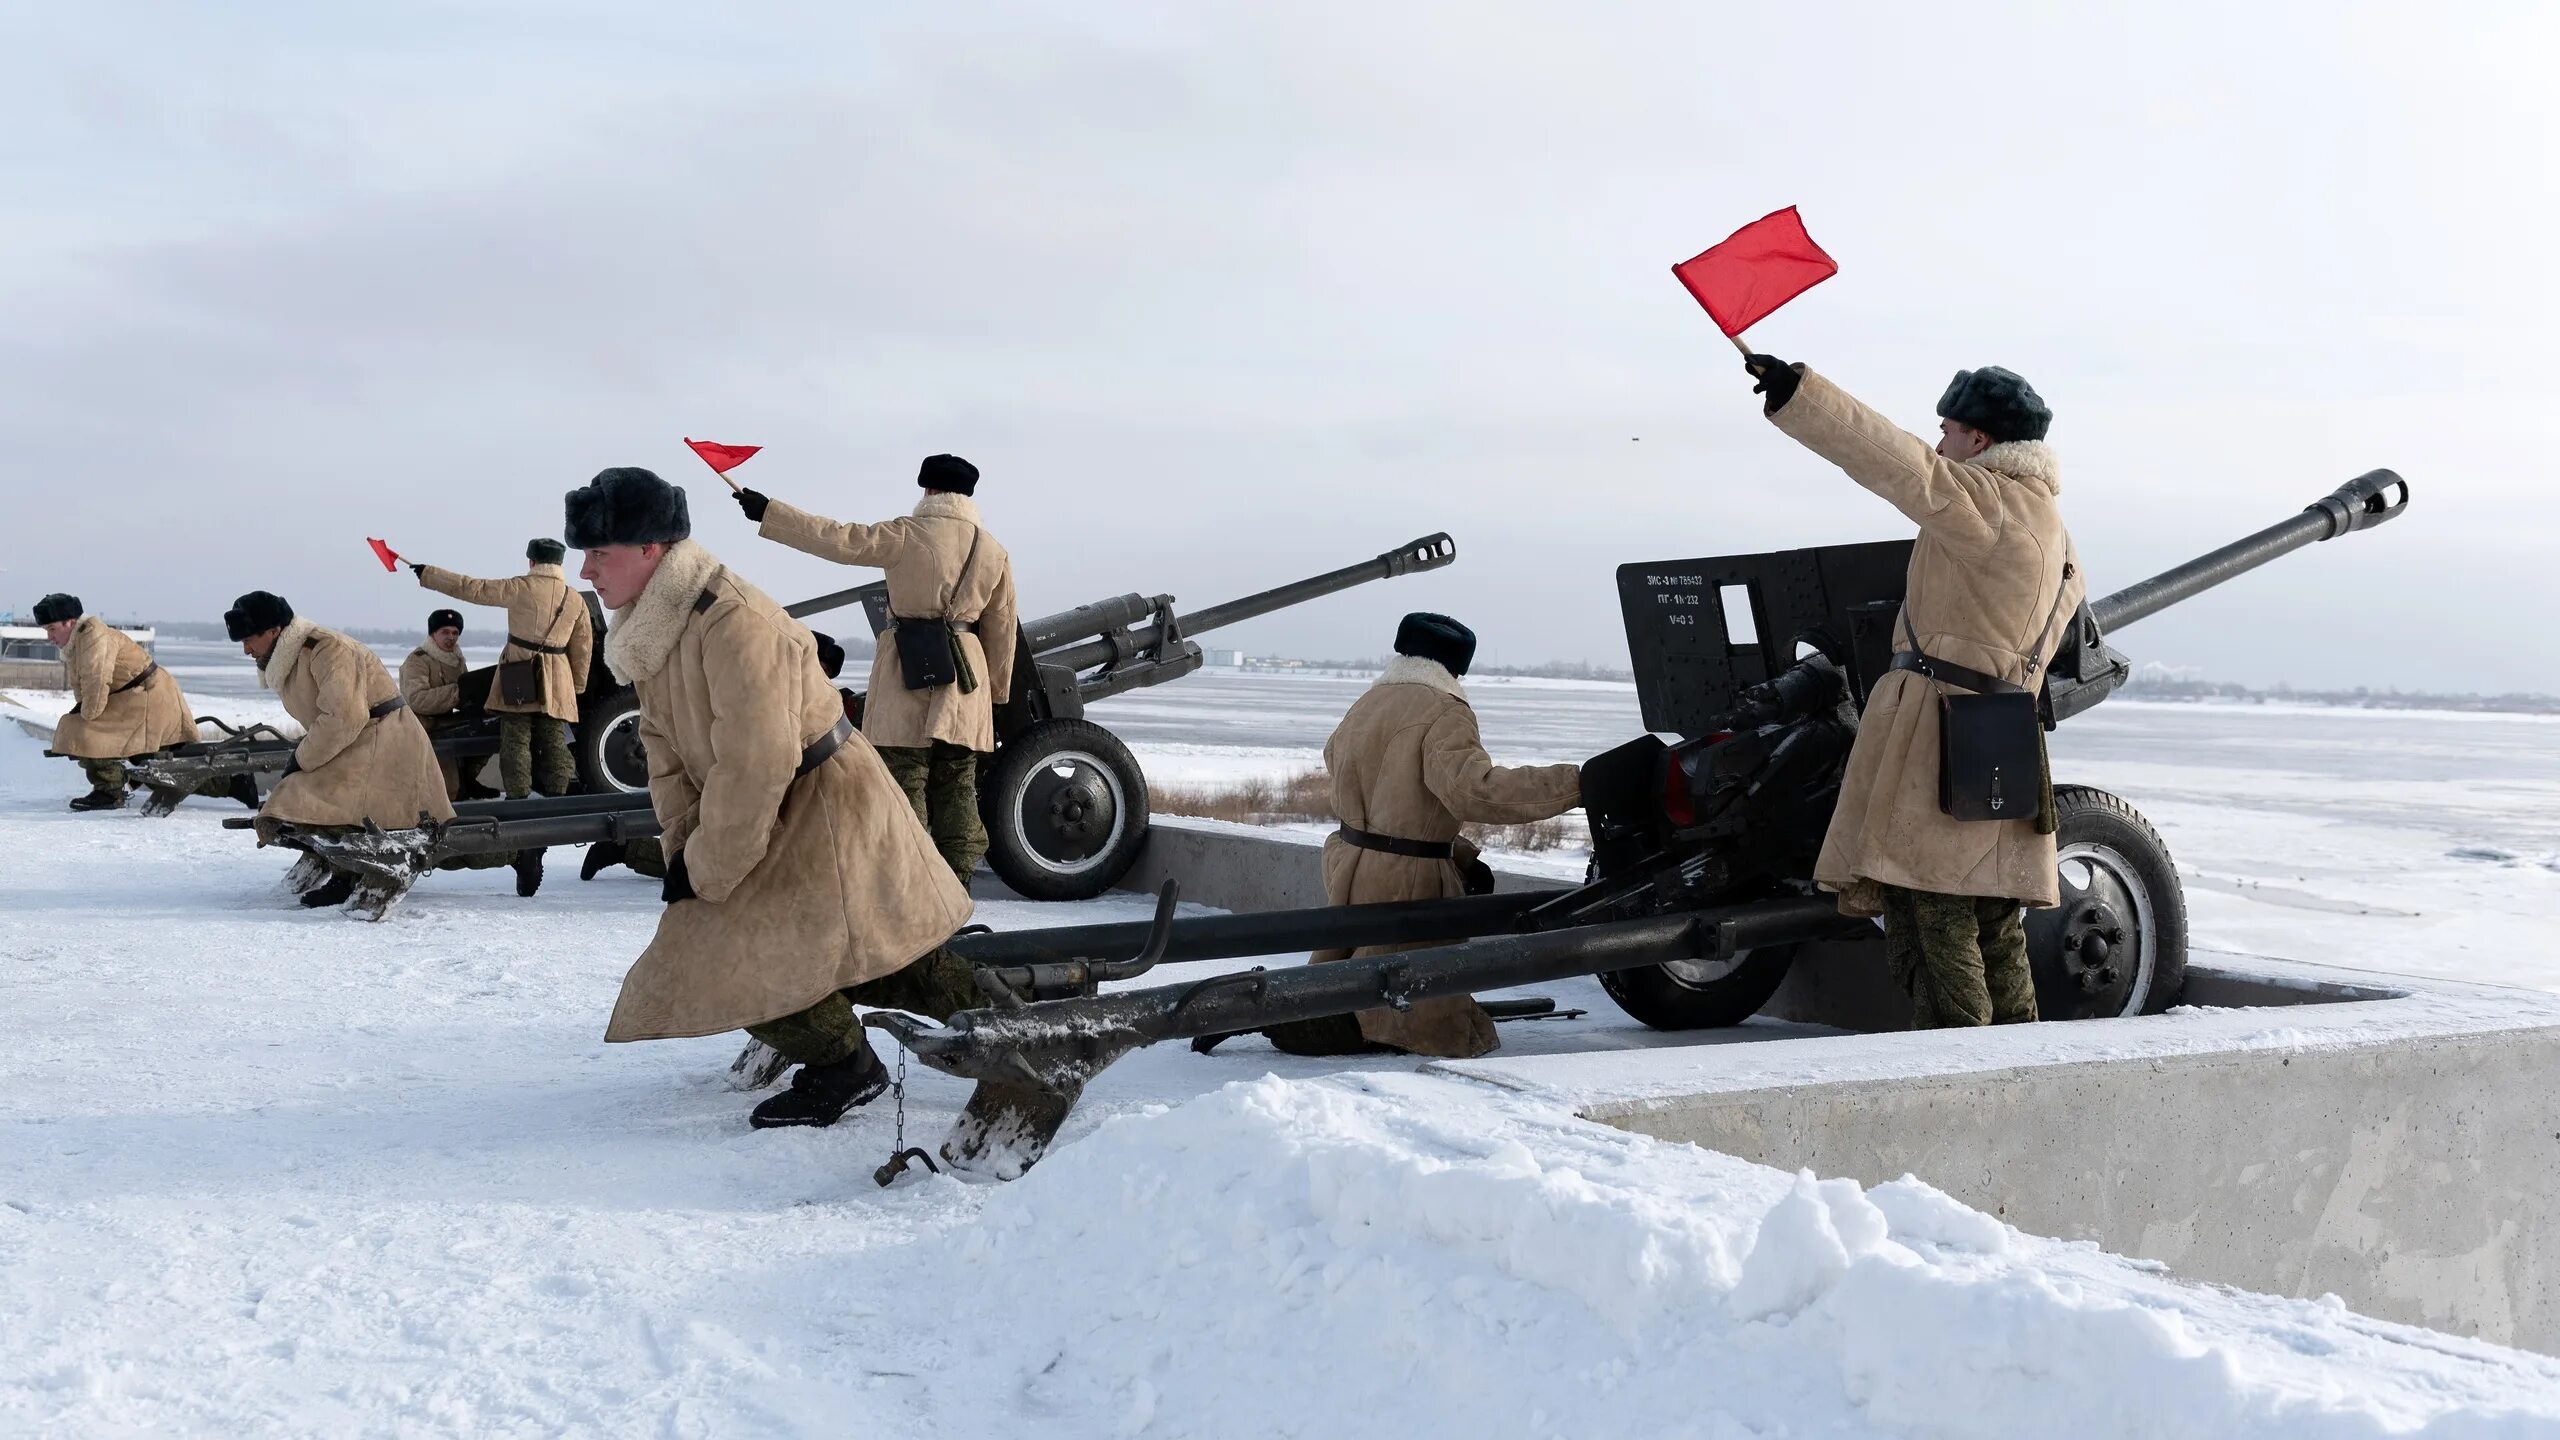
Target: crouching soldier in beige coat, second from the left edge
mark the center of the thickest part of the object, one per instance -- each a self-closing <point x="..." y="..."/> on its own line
<point x="362" y="757"/>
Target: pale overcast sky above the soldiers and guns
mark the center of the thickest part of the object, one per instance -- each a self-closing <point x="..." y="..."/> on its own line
<point x="1228" y="293"/>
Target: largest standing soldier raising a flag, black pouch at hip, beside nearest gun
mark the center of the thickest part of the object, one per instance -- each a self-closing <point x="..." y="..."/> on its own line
<point x="1993" y="583"/>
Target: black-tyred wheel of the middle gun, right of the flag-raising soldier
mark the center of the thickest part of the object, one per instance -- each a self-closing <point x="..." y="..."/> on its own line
<point x="1066" y="811"/>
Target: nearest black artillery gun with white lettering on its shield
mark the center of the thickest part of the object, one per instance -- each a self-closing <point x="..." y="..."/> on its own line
<point x="1701" y="883"/>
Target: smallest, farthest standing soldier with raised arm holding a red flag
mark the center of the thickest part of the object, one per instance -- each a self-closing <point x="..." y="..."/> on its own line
<point x="549" y="632"/>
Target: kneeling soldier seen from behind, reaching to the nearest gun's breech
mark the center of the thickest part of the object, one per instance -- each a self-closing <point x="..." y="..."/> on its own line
<point x="1409" y="770"/>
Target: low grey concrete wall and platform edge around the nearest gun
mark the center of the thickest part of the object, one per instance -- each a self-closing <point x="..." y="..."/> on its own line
<point x="2295" y="1129"/>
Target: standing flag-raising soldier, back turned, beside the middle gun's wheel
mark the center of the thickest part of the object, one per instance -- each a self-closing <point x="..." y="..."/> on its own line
<point x="943" y="570"/>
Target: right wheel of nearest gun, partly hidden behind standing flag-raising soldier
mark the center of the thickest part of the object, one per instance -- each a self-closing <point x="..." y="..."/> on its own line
<point x="2118" y="939"/>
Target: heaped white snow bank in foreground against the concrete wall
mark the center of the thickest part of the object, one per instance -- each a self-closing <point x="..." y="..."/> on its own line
<point x="1422" y="1257"/>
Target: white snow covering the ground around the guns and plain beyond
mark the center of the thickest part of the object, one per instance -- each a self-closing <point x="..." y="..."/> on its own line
<point x="270" y="1172"/>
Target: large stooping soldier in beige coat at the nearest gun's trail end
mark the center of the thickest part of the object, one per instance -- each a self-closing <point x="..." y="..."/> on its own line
<point x="795" y="865"/>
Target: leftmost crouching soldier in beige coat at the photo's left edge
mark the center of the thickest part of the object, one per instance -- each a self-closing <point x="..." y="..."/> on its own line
<point x="124" y="706"/>
